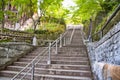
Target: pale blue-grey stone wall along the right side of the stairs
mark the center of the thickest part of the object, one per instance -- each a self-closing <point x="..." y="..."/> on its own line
<point x="107" y="50"/>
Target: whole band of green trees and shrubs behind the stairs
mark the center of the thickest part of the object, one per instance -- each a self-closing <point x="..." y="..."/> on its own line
<point x="53" y="16"/>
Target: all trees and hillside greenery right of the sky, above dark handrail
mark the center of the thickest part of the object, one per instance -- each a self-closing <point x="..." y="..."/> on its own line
<point x="97" y="10"/>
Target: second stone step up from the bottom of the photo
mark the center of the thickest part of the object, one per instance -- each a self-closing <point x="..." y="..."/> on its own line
<point x="53" y="71"/>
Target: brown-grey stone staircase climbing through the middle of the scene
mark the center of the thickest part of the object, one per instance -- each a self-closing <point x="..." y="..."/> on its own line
<point x="71" y="63"/>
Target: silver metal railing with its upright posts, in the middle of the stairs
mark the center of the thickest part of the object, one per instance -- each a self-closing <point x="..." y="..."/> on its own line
<point x="31" y="66"/>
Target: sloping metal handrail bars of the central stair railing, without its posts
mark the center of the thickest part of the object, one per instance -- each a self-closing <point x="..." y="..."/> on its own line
<point x="33" y="63"/>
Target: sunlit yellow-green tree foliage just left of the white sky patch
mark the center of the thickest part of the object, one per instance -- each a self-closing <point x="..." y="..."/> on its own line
<point x="52" y="10"/>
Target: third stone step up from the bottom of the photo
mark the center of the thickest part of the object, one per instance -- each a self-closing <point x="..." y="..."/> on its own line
<point x="56" y="66"/>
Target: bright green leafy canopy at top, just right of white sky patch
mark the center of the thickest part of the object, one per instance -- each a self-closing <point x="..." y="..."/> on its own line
<point x="87" y="9"/>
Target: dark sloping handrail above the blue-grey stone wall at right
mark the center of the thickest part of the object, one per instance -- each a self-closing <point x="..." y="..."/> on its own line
<point x="111" y="17"/>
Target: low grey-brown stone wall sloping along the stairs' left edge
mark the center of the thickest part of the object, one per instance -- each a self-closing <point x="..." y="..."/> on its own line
<point x="13" y="50"/>
